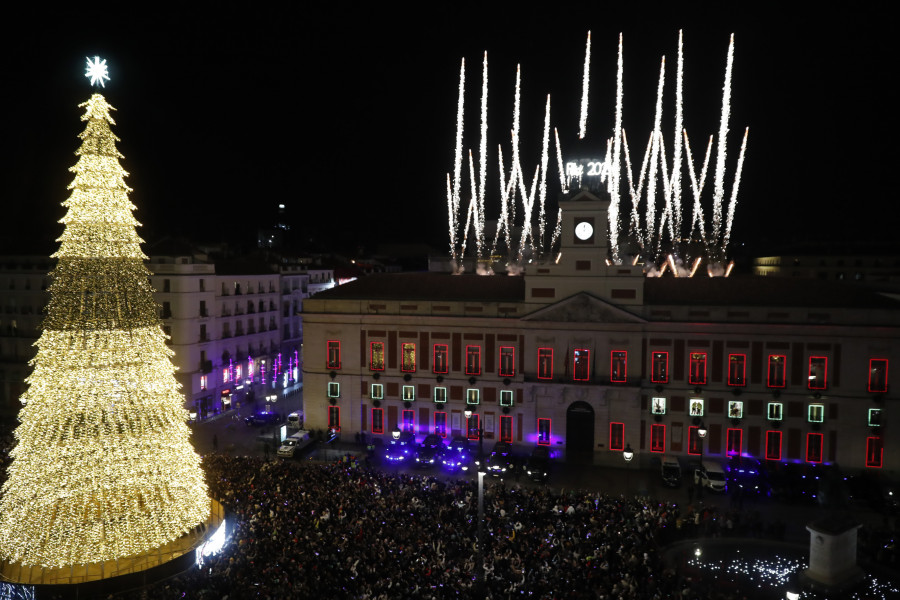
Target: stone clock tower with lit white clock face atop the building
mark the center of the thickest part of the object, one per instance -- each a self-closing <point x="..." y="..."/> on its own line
<point x="582" y="263"/>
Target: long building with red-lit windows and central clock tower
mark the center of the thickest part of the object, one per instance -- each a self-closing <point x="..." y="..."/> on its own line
<point x="590" y="359"/>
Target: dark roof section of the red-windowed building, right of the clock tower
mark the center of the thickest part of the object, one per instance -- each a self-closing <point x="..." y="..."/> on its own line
<point x="761" y="291"/>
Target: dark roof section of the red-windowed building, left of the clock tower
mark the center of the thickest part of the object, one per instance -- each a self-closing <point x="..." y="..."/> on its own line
<point x="430" y="286"/>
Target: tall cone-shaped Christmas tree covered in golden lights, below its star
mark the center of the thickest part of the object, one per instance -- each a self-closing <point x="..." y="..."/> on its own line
<point x="103" y="467"/>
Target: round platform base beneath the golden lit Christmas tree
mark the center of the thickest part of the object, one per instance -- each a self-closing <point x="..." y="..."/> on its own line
<point x="111" y="576"/>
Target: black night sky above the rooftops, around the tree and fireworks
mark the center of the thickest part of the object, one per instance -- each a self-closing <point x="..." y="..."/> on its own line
<point x="347" y="115"/>
